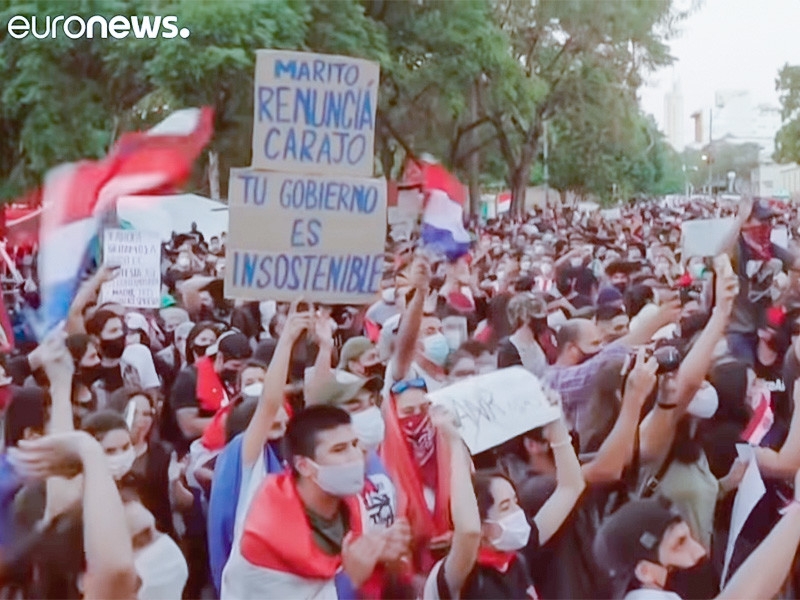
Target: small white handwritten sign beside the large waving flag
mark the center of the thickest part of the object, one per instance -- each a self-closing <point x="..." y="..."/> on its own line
<point x="138" y="256"/>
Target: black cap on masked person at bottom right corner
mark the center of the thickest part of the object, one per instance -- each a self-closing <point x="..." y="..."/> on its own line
<point x="631" y="534"/>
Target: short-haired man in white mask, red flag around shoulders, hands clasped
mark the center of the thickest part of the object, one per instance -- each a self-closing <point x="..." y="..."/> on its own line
<point x="305" y="526"/>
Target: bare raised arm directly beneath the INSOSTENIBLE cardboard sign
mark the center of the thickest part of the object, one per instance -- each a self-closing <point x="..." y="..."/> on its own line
<point x="255" y="436"/>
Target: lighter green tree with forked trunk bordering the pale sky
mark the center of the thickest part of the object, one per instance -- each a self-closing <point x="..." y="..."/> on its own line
<point x="550" y="40"/>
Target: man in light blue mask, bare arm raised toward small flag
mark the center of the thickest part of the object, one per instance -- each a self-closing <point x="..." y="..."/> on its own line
<point x="421" y="349"/>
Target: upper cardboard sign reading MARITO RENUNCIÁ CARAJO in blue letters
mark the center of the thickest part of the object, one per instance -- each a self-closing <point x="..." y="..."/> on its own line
<point x="314" y="113"/>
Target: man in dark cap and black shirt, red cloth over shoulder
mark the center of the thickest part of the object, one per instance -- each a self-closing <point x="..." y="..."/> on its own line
<point x="209" y="385"/>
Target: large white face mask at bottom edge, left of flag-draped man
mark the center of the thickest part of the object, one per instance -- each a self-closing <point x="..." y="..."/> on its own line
<point x="162" y="569"/>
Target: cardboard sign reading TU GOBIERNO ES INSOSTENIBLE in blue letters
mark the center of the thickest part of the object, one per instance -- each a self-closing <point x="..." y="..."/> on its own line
<point x="319" y="237"/>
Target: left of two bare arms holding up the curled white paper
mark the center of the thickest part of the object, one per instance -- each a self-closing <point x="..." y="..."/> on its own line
<point x="464" y="509"/>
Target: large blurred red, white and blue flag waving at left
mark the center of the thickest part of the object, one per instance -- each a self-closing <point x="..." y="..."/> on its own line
<point x="77" y="195"/>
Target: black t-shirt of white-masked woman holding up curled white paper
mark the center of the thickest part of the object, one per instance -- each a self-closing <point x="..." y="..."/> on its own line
<point x="486" y="582"/>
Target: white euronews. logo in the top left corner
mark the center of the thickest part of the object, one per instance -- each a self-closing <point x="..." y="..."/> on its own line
<point x="75" y="27"/>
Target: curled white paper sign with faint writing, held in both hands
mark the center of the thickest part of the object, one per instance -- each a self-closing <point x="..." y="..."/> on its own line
<point x="493" y="408"/>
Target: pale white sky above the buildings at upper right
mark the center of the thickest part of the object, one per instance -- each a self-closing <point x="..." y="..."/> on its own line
<point x="727" y="45"/>
